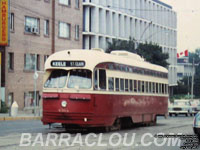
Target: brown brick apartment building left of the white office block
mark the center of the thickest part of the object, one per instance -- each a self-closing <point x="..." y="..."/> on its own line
<point x="38" y="28"/>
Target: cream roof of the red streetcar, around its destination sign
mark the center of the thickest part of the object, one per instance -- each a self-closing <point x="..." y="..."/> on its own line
<point x="94" y="57"/>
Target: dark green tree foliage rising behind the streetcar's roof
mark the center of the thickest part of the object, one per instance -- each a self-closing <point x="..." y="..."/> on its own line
<point x="150" y="52"/>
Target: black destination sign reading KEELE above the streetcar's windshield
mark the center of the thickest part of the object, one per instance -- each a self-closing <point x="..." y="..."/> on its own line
<point x="67" y="63"/>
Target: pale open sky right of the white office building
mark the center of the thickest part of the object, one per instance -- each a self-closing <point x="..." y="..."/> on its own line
<point x="188" y="23"/>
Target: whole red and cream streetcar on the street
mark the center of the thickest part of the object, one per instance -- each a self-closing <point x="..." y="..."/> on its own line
<point x="90" y="88"/>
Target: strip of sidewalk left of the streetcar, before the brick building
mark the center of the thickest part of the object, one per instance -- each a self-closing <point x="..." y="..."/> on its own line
<point x="22" y="115"/>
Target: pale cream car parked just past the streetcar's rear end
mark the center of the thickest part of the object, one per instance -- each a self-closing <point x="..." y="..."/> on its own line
<point x="181" y="107"/>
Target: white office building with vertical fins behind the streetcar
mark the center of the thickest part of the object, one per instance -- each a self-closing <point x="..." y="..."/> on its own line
<point x="143" y="20"/>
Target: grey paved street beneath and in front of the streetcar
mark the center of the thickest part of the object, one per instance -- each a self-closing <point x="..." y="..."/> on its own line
<point x="11" y="133"/>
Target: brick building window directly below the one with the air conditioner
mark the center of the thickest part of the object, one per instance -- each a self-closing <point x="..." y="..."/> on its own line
<point x="30" y="60"/>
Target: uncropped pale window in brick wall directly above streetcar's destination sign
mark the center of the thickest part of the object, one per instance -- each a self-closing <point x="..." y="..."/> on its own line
<point x="64" y="30"/>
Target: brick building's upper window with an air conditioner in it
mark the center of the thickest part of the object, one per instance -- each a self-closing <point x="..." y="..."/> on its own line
<point x="32" y="25"/>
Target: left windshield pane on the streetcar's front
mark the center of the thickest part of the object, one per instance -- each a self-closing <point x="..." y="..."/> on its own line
<point x="57" y="79"/>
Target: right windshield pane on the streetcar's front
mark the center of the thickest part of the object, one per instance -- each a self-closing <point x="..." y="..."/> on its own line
<point x="80" y="79"/>
